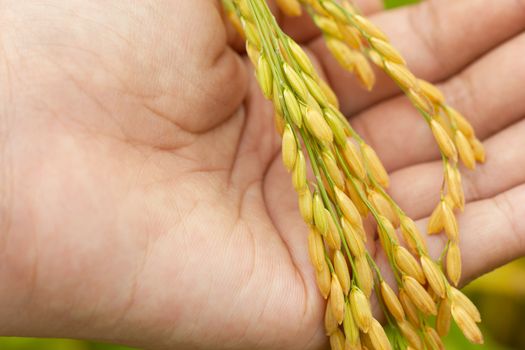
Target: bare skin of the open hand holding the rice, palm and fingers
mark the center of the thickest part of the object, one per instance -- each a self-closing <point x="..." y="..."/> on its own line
<point x="142" y="196"/>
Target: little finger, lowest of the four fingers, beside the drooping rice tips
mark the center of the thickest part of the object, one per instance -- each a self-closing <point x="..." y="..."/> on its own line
<point x="492" y="233"/>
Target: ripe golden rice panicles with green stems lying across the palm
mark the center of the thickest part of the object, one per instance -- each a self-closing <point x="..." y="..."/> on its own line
<point x="349" y="182"/>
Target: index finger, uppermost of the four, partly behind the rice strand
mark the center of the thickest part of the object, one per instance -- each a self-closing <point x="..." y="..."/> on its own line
<point x="437" y="38"/>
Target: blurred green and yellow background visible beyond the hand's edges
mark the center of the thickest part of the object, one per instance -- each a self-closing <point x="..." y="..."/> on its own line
<point x="500" y="296"/>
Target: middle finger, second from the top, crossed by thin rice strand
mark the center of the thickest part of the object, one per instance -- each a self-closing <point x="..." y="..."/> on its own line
<point x="489" y="93"/>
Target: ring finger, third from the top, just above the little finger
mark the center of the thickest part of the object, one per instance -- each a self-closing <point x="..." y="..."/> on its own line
<point x="416" y="189"/>
